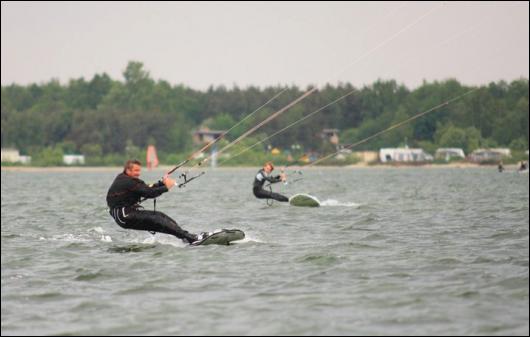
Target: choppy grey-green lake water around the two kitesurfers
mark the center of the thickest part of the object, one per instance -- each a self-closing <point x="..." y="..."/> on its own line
<point x="392" y="251"/>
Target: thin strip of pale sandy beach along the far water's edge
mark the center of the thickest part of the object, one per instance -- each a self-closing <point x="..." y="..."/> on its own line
<point x="167" y="168"/>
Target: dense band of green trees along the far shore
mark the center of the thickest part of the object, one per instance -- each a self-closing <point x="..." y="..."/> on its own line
<point x="108" y="119"/>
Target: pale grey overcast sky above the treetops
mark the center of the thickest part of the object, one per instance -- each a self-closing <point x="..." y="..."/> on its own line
<point x="267" y="43"/>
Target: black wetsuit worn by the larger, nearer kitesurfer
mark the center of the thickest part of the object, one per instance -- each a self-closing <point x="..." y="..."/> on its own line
<point x="123" y="199"/>
